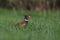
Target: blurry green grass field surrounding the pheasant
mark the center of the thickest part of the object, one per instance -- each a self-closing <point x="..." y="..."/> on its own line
<point x="42" y="25"/>
